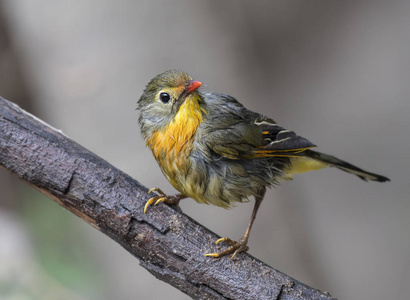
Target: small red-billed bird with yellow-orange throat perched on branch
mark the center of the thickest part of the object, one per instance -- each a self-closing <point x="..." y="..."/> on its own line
<point x="214" y="150"/>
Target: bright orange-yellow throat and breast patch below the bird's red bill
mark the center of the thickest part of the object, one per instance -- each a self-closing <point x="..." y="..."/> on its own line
<point x="172" y="144"/>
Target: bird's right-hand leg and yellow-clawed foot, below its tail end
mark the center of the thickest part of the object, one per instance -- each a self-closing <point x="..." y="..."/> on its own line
<point x="240" y="246"/>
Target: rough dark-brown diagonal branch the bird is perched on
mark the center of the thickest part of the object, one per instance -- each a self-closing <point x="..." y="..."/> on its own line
<point x="168" y="243"/>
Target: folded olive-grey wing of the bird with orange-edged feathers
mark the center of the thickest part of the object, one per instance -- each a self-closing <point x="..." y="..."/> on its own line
<point x="235" y="132"/>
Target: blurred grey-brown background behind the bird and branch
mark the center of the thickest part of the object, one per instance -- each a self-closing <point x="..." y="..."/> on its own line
<point x="336" y="72"/>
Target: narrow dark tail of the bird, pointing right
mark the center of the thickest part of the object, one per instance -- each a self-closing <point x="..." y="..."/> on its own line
<point x="344" y="166"/>
